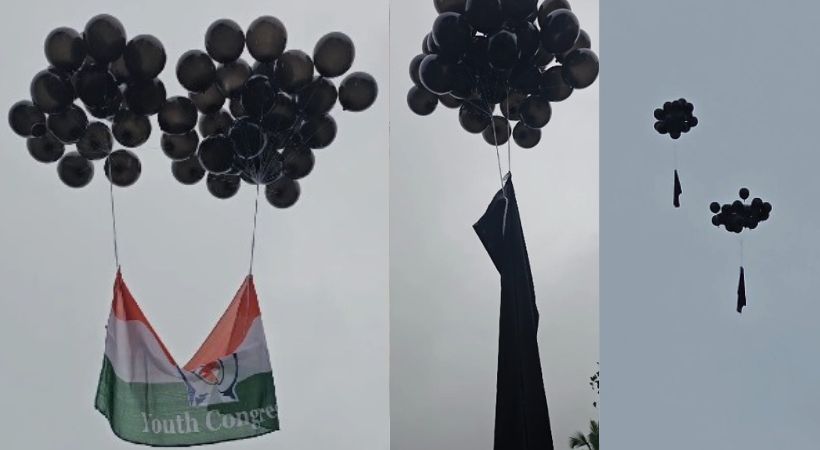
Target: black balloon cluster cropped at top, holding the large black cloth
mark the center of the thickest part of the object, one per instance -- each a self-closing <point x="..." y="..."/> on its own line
<point x="484" y="53"/>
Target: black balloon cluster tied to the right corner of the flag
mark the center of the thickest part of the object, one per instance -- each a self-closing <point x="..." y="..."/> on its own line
<point x="278" y="110"/>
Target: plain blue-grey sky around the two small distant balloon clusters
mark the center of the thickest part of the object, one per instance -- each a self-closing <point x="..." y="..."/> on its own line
<point x="681" y="367"/>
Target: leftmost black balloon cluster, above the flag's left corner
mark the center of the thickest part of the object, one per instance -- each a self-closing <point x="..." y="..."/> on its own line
<point x="114" y="79"/>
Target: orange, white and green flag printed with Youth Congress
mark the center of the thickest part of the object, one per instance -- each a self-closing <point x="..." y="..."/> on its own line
<point x="225" y="392"/>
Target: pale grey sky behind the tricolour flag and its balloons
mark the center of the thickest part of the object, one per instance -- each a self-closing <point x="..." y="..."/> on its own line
<point x="321" y="267"/>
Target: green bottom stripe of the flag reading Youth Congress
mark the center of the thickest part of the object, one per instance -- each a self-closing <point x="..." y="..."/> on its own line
<point x="159" y="414"/>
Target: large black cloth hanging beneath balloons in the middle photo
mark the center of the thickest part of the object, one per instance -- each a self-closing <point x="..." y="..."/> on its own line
<point x="521" y="414"/>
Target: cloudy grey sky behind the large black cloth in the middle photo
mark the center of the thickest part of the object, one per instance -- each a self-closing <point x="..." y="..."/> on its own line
<point x="444" y="289"/>
